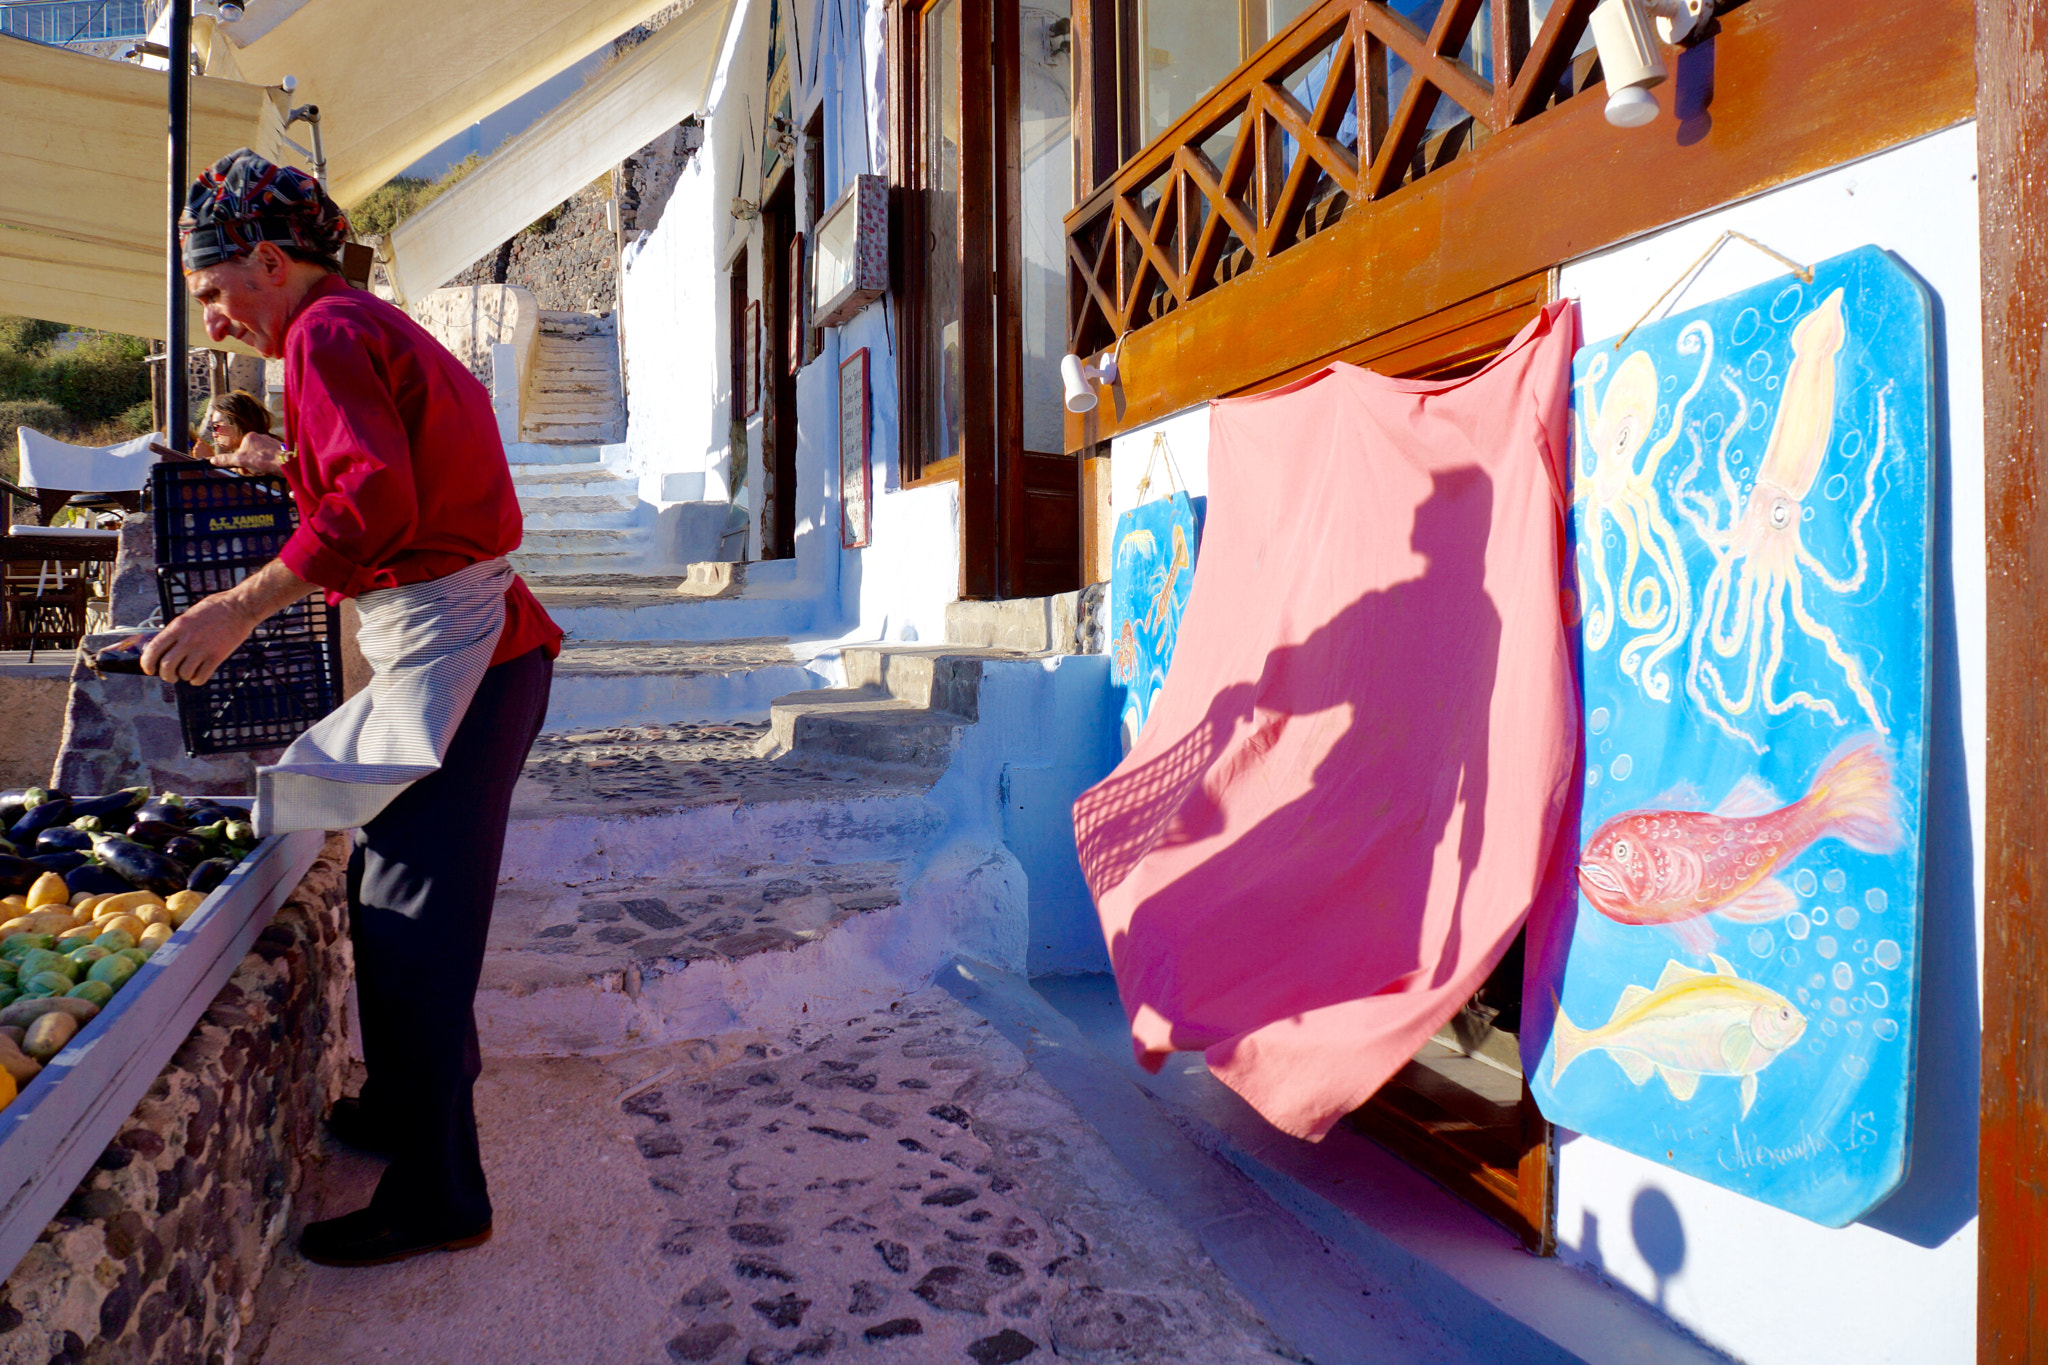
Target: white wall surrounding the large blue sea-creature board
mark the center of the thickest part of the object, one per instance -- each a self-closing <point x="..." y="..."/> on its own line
<point x="1900" y="1286"/>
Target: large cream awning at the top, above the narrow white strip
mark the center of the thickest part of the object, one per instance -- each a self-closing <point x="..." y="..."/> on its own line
<point x="396" y="79"/>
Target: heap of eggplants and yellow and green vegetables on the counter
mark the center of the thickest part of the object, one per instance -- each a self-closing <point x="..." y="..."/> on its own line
<point x="89" y="889"/>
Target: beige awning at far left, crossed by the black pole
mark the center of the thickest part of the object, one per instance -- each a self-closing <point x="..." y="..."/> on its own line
<point x="85" y="216"/>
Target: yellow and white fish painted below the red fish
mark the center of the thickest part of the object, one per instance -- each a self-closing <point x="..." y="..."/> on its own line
<point x="1695" y="1024"/>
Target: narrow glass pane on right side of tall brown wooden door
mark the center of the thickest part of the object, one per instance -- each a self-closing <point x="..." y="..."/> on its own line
<point x="1046" y="193"/>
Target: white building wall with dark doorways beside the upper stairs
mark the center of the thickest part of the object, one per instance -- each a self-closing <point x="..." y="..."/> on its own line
<point x="677" y="322"/>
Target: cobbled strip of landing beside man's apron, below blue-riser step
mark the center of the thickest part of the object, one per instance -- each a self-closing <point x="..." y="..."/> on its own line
<point x="667" y="766"/>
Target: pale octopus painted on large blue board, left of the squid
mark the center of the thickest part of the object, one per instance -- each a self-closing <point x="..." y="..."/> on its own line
<point x="1650" y="599"/>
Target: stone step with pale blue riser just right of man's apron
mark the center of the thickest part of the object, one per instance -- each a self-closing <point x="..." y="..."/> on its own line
<point x="636" y="682"/>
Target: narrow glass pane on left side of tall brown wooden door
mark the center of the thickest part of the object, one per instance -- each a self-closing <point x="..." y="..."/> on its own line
<point x="943" y="222"/>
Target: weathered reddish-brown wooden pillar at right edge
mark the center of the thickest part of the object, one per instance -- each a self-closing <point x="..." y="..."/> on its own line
<point x="2012" y="155"/>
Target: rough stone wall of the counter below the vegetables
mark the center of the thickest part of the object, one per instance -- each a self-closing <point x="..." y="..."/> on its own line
<point x="159" y="1256"/>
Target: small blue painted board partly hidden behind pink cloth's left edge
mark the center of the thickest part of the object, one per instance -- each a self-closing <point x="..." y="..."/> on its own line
<point x="1150" y="578"/>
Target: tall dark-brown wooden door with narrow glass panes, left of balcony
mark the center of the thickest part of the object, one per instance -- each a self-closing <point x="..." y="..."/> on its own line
<point x="984" y="306"/>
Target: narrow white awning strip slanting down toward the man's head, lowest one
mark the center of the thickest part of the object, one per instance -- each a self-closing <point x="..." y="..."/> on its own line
<point x="648" y="91"/>
